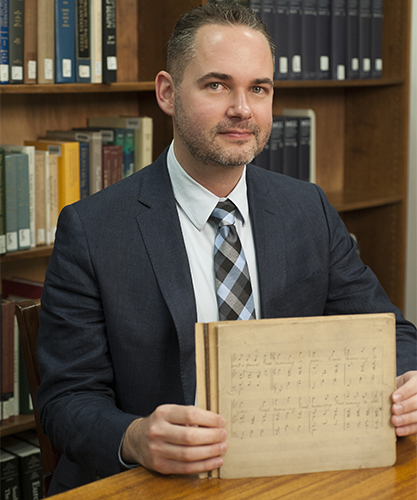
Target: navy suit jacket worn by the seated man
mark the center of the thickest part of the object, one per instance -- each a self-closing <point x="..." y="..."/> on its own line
<point x="118" y="310"/>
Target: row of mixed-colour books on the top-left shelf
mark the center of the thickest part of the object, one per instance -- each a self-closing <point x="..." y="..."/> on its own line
<point x="58" y="41"/>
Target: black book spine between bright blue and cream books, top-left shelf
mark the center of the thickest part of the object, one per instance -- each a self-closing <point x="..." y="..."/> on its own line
<point x="83" y="57"/>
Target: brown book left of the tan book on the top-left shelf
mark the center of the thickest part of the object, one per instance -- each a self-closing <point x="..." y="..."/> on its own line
<point x="30" y="45"/>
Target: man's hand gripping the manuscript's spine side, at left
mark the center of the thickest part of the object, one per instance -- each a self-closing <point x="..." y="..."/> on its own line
<point x="176" y="440"/>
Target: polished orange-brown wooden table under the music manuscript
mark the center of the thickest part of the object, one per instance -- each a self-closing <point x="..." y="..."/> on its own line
<point x="398" y="482"/>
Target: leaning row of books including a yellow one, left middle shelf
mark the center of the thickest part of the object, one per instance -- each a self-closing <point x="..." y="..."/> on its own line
<point x="39" y="178"/>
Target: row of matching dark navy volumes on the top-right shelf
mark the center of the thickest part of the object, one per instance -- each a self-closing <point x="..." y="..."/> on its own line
<point x="324" y="39"/>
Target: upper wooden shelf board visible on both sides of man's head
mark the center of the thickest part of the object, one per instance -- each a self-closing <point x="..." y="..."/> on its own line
<point x="77" y="88"/>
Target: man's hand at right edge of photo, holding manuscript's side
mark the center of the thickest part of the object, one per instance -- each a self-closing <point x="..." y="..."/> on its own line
<point x="404" y="408"/>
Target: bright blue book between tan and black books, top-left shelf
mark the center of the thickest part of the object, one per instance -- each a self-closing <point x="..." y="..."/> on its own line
<point x="64" y="41"/>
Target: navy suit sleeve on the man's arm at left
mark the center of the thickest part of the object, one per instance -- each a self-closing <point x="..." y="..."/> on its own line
<point x="77" y="403"/>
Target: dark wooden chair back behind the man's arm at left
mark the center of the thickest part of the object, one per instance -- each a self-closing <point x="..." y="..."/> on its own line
<point x="27" y="314"/>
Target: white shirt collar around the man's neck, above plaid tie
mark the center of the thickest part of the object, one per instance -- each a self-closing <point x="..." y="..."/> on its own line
<point x="196" y="201"/>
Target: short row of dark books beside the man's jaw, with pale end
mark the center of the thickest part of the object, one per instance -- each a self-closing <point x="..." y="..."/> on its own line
<point x="291" y="146"/>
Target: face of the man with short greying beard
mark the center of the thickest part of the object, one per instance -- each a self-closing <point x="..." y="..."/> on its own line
<point x="223" y="106"/>
